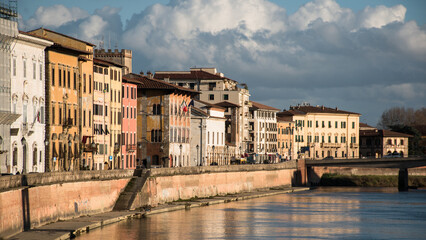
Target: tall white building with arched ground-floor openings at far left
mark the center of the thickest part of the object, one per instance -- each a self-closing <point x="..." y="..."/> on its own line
<point x="28" y="100"/>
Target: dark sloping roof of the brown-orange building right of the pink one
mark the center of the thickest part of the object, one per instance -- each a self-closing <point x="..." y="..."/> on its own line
<point x="151" y="83"/>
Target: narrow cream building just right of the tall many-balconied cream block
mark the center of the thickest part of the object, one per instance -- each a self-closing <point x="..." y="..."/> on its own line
<point x="263" y="132"/>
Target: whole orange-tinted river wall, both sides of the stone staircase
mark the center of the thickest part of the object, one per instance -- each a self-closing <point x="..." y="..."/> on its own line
<point x="32" y="200"/>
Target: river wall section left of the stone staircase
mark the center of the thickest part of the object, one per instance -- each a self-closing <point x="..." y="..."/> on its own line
<point x="31" y="200"/>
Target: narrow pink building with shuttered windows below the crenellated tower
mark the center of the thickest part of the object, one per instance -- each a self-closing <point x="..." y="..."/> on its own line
<point x="128" y="125"/>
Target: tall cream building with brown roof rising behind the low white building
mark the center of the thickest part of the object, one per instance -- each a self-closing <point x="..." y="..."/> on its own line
<point x="215" y="88"/>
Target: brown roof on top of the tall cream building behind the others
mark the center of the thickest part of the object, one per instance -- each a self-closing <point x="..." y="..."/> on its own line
<point x="192" y="75"/>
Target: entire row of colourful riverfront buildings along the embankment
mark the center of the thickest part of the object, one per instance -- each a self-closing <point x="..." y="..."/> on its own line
<point x="73" y="107"/>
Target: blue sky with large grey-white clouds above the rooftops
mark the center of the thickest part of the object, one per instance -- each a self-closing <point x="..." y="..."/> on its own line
<point x="360" y="56"/>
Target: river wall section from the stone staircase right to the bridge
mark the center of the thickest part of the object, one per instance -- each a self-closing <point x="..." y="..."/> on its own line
<point x="168" y="185"/>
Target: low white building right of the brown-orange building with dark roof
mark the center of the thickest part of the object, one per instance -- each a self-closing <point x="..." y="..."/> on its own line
<point x="208" y="135"/>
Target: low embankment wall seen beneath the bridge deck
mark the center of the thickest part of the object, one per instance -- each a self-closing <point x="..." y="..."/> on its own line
<point x="314" y="174"/>
